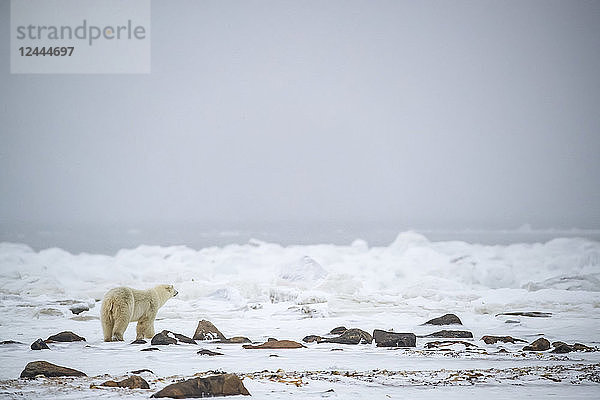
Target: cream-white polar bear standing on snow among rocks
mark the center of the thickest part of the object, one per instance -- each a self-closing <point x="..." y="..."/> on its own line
<point x="123" y="305"/>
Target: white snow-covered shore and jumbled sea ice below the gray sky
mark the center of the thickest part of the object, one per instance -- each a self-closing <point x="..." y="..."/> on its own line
<point x="252" y="284"/>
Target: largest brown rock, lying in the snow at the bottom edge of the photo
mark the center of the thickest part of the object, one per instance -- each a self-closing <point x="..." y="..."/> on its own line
<point x="216" y="385"/>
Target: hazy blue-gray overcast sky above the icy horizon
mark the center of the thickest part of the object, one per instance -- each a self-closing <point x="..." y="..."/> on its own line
<point x="446" y="113"/>
